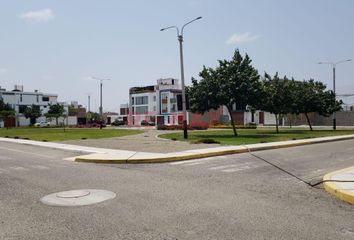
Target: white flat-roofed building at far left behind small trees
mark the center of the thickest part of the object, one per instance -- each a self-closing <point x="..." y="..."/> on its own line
<point x="20" y="100"/>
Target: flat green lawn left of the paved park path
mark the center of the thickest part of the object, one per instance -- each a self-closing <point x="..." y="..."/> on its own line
<point x="58" y="134"/>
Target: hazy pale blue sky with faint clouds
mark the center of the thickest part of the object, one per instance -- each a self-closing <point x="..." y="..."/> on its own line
<point x="57" y="46"/>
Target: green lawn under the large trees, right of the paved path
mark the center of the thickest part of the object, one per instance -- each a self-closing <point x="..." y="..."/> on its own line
<point x="249" y="136"/>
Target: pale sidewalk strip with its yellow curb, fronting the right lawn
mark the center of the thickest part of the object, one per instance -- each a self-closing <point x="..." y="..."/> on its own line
<point x="119" y="157"/>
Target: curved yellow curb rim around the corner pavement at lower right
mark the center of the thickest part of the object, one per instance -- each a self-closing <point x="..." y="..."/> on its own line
<point x="330" y="187"/>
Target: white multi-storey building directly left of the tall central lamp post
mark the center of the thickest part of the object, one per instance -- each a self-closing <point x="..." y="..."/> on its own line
<point x="156" y="104"/>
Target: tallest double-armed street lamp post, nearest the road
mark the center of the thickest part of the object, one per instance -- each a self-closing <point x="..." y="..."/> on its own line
<point x="180" y="40"/>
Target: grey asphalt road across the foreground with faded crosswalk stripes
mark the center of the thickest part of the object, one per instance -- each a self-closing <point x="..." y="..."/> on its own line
<point x="229" y="197"/>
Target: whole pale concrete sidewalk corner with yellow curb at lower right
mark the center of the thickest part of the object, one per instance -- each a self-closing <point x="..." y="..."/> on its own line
<point x="342" y="190"/>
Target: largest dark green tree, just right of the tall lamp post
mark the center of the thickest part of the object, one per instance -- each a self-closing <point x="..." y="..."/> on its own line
<point x="234" y="82"/>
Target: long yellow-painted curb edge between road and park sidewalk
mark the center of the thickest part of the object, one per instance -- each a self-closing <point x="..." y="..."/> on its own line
<point x="204" y="155"/>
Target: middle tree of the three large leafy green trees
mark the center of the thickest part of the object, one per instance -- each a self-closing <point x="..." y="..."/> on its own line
<point x="277" y="96"/>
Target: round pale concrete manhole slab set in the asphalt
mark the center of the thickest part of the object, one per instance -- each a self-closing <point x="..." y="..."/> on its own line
<point x="79" y="197"/>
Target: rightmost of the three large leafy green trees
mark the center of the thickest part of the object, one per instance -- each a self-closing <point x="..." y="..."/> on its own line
<point x="312" y="96"/>
